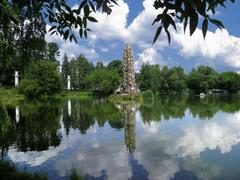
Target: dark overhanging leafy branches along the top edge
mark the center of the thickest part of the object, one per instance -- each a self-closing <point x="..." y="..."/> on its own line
<point x="63" y="18"/>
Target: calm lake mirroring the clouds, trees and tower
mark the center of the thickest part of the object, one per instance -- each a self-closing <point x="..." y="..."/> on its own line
<point x="168" y="137"/>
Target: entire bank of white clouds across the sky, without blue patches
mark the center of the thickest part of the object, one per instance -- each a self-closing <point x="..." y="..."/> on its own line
<point x="218" y="49"/>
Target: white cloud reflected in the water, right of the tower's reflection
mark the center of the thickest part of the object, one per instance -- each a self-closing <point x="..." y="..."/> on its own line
<point x="194" y="137"/>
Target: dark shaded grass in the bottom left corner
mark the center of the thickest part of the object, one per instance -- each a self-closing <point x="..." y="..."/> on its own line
<point x="9" y="172"/>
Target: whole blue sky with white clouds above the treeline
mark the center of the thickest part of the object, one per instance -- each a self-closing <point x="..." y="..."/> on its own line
<point x="131" y="22"/>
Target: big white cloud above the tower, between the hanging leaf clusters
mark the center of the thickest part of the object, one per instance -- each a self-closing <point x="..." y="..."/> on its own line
<point x="114" y="28"/>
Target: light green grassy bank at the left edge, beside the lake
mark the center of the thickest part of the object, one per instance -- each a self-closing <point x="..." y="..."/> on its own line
<point x="10" y="96"/>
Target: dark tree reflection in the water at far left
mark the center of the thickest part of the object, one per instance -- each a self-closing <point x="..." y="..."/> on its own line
<point x="36" y="126"/>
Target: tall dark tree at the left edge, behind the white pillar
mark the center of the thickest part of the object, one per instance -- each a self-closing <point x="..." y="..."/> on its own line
<point x="20" y="43"/>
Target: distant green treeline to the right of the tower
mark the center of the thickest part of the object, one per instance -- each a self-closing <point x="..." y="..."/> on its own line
<point x="175" y="79"/>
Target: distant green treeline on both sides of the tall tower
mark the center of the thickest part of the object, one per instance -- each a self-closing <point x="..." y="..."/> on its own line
<point x="86" y="76"/>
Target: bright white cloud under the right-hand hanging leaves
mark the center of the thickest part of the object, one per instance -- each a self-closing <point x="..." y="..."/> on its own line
<point x="219" y="46"/>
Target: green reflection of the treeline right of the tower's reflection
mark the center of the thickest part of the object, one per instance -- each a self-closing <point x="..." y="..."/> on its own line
<point x="175" y="106"/>
